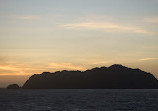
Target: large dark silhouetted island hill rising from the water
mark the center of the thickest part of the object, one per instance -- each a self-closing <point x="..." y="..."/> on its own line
<point x="113" y="77"/>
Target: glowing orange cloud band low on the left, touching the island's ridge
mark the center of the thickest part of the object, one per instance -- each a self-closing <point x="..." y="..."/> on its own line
<point x="15" y="68"/>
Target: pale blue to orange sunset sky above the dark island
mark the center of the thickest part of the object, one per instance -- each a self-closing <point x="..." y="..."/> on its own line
<point x="50" y="35"/>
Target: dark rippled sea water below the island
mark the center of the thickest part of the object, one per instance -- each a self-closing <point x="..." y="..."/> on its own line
<point x="78" y="100"/>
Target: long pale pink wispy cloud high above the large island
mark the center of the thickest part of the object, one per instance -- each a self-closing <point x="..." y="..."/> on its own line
<point x="105" y="27"/>
